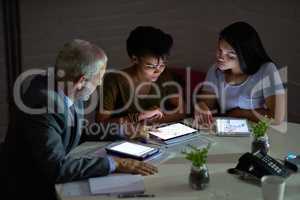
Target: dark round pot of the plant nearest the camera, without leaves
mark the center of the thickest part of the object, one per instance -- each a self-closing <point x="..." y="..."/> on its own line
<point x="199" y="177"/>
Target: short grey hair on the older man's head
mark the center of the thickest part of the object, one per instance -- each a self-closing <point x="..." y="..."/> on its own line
<point x="79" y="58"/>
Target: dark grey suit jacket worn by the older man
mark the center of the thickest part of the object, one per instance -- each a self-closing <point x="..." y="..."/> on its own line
<point x="37" y="146"/>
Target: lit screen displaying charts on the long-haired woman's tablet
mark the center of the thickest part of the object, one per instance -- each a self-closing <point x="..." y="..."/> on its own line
<point x="232" y="125"/>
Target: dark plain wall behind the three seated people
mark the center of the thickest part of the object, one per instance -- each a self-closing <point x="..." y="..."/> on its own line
<point x="194" y="24"/>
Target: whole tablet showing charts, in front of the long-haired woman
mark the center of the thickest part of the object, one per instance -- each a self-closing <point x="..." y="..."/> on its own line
<point x="232" y="127"/>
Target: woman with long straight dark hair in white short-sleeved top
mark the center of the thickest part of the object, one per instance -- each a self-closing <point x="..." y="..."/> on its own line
<point x="244" y="81"/>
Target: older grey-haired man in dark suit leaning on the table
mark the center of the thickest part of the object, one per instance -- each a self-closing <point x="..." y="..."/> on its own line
<point x="37" y="145"/>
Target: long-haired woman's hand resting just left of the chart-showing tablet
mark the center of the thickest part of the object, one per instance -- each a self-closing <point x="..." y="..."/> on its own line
<point x="203" y="115"/>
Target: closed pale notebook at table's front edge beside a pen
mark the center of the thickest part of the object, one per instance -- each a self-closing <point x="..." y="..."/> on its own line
<point x="117" y="184"/>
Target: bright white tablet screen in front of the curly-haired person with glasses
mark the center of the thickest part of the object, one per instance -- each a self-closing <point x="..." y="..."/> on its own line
<point x="172" y="131"/>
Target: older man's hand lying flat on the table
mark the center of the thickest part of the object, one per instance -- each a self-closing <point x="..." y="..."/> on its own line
<point x="134" y="167"/>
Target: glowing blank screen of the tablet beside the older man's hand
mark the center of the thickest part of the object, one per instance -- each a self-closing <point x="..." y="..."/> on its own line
<point x="131" y="149"/>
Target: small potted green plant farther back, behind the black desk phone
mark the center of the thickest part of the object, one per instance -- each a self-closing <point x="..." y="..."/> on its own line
<point x="260" y="138"/>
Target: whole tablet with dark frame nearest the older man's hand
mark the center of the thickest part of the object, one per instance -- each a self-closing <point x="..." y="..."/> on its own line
<point x="131" y="150"/>
